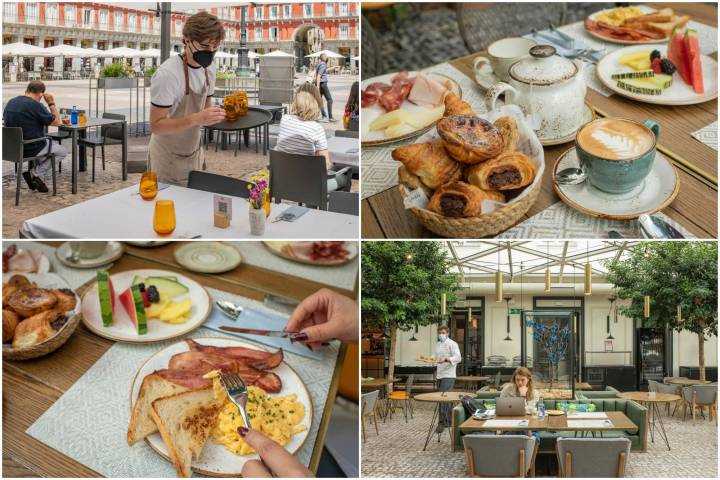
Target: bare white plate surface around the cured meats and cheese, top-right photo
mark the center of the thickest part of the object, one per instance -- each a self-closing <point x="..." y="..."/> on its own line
<point x="370" y="139"/>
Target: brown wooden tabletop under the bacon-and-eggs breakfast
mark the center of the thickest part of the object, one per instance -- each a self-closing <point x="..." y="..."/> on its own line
<point x="31" y="387"/>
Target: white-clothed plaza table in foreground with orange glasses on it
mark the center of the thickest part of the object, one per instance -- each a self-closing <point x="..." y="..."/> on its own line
<point x="123" y="214"/>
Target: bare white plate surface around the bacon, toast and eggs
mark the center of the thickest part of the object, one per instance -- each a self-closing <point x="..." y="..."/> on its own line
<point x="215" y="460"/>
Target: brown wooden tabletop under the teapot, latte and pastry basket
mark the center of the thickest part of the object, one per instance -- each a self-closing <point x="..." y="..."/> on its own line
<point x="695" y="208"/>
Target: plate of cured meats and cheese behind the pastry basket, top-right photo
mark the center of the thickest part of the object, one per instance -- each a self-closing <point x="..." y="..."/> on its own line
<point x="402" y="105"/>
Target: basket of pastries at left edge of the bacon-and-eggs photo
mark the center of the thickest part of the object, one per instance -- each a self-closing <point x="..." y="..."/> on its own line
<point x="40" y="312"/>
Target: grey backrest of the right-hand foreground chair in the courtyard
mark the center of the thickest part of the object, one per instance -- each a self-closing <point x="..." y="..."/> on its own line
<point x="592" y="457"/>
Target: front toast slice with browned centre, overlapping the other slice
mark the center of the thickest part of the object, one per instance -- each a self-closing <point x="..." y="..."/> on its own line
<point x="185" y="421"/>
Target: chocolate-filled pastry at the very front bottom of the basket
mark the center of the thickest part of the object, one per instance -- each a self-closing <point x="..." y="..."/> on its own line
<point x="459" y="199"/>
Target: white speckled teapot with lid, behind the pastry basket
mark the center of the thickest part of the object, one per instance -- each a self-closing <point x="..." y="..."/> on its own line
<point x="550" y="89"/>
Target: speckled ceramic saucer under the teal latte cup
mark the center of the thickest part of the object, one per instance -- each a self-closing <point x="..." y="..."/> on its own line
<point x="657" y="191"/>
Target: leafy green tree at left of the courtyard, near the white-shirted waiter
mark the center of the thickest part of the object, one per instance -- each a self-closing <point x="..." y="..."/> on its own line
<point x="402" y="286"/>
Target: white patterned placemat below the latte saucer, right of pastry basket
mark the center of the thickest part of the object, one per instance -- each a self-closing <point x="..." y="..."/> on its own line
<point x="561" y="221"/>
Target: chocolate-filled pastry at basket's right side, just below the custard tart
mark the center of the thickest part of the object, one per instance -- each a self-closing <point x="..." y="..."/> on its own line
<point x="508" y="171"/>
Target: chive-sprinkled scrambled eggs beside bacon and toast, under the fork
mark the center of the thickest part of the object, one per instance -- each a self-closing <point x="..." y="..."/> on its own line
<point x="277" y="417"/>
